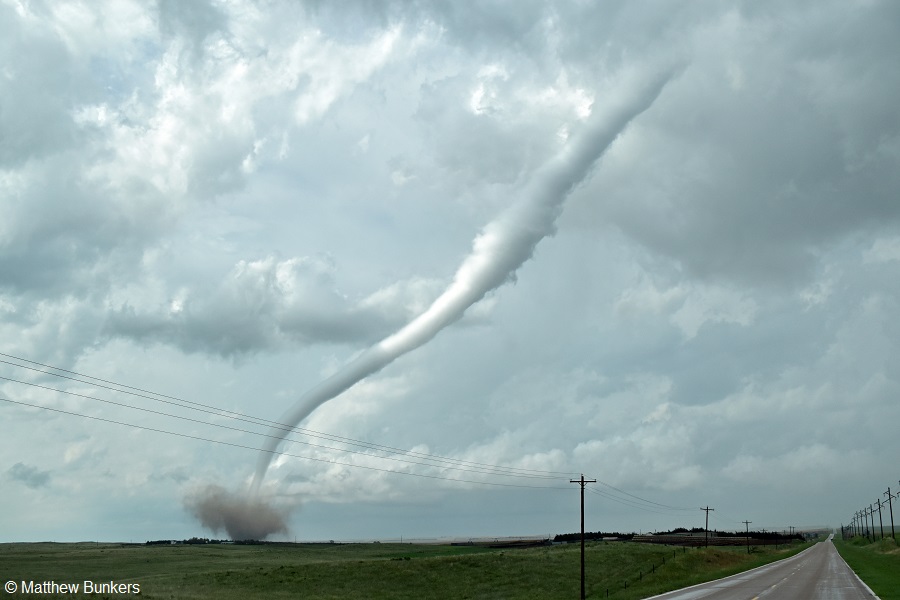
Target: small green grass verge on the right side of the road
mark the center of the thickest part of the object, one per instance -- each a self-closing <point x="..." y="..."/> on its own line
<point x="878" y="564"/>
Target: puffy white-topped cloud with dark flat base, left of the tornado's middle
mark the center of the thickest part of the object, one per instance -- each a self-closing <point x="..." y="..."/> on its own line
<point x="268" y="305"/>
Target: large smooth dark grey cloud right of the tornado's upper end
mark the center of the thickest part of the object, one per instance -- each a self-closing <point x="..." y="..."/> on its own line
<point x="776" y="162"/>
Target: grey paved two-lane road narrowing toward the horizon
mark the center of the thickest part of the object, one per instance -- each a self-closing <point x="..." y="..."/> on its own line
<point x="818" y="573"/>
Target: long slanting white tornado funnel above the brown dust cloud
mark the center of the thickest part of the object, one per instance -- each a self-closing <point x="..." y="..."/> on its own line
<point x="503" y="246"/>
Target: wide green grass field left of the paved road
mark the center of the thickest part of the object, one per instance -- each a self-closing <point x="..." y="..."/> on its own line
<point x="376" y="570"/>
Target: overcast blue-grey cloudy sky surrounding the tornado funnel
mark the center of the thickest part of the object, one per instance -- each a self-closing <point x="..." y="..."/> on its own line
<point x="226" y="202"/>
